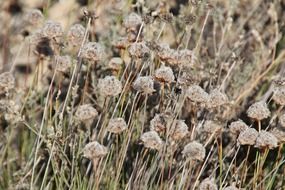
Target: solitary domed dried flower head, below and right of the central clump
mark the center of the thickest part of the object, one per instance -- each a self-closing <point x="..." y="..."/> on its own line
<point x="195" y="151"/>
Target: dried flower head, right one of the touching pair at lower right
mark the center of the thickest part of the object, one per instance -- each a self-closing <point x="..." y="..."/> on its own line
<point x="266" y="140"/>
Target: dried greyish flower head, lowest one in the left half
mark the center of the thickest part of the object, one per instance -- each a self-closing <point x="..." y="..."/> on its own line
<point x="94" y="150"/>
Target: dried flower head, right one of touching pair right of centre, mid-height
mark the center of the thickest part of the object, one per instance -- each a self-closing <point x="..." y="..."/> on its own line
<point x="217" y="98"/>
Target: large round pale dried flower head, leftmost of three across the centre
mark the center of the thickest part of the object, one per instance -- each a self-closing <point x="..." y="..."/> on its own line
<point x="110" y="86"/>
